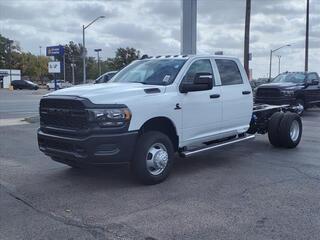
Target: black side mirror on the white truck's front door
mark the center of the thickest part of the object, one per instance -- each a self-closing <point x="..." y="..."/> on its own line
<point x="202" y="82"/>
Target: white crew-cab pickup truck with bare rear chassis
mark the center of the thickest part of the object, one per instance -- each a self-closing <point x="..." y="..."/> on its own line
<point x="156" y="107"/>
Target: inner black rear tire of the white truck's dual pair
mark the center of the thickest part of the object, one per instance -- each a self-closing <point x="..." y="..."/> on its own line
<point x="274" y="129"/>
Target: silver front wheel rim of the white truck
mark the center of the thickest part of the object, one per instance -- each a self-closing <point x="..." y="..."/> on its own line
<point x="157" y="158"/>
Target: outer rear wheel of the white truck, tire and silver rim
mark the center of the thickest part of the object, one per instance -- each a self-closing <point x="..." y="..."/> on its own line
<point x="290" y="130"/>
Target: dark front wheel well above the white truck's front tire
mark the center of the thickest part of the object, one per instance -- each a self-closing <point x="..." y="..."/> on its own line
<point x="164" y="125"/>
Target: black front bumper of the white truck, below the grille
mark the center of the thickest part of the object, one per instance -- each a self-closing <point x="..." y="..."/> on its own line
<point x="95" y="149"/>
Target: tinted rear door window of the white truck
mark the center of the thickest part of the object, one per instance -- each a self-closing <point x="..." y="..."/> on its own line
<point x="229" y="72"/>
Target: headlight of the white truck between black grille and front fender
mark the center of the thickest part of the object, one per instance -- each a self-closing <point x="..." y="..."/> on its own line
<point x="113" y="117"/>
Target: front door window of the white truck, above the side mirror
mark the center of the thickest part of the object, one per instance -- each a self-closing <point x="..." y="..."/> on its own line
<point x="199" y="66"/>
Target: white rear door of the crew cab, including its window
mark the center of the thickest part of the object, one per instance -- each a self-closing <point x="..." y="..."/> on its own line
<point x="237" y="100"/>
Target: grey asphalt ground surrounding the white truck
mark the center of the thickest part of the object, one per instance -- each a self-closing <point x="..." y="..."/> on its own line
<point x="250" y="190"/>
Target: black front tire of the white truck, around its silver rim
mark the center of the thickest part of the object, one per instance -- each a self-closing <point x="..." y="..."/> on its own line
<point x="139" y="166"/>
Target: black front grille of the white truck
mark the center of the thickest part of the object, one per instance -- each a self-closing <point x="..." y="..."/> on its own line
<point x="63" y="113"/>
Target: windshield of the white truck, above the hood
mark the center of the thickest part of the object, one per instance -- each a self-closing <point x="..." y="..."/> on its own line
<point x="150" y="71"/>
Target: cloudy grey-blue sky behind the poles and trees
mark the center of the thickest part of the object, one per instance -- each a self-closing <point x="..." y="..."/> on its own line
<point x="153" y="27"/>
